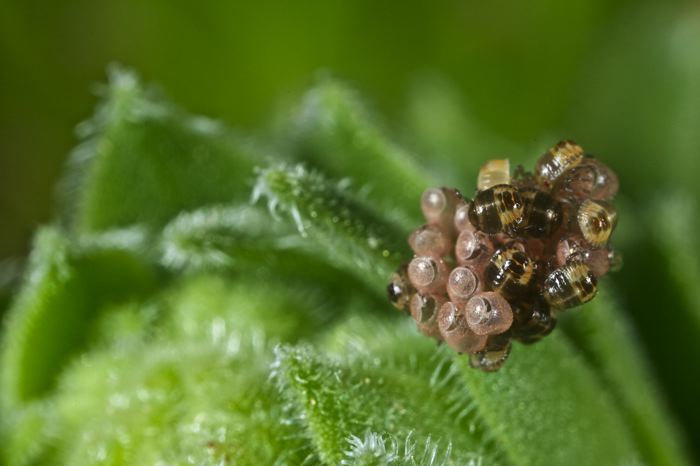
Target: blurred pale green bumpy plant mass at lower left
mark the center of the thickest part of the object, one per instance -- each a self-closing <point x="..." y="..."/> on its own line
<point x="195" y="356"/>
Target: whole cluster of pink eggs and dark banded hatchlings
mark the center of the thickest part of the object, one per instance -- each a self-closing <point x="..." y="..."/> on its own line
<point x="501" y="266"/>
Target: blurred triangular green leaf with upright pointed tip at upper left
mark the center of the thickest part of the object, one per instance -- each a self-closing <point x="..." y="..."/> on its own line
<point x="143" y="161"/>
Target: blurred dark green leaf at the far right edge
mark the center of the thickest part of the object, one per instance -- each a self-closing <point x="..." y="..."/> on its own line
<point x="660" y="284"/>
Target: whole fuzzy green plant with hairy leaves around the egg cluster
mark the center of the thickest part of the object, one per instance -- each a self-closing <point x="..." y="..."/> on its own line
<point x="201" y="300"/>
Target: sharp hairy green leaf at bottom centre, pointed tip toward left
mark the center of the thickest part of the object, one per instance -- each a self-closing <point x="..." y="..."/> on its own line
<point x="369" y="398"/>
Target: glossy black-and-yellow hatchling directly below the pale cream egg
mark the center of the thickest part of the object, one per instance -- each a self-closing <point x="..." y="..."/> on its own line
<point x="496" y="209"/>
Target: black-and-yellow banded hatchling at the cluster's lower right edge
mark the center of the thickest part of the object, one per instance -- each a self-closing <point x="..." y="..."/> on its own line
<point x="570" y="285"/>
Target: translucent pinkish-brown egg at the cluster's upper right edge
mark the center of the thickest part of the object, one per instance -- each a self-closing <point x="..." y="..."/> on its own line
<point x="591" y="179"/>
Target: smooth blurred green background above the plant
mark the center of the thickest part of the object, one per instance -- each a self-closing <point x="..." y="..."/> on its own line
<point x="621" y="77"/>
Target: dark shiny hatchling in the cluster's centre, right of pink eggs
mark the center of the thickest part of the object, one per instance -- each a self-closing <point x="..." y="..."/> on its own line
<point x="510" y="271"/>
